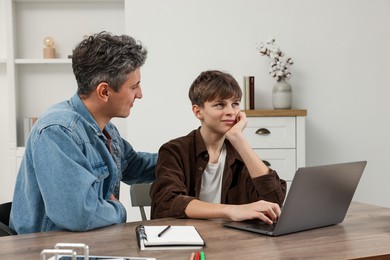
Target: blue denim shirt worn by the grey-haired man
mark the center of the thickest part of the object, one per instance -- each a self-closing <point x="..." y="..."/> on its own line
<point x="68" y="173"/>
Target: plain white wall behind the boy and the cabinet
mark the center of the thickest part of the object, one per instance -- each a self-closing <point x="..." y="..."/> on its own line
<point x="341" y="72"/>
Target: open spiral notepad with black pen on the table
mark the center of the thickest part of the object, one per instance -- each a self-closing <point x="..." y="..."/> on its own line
<point x="175" y="237"/>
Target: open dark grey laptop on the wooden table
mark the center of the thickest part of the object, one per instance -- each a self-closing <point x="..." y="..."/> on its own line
<point x="319" y="196"/>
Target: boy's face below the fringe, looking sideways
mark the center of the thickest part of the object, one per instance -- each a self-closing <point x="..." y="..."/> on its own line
<point x="218" y="116"/>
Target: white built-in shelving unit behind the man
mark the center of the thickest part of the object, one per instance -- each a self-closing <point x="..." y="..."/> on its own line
<point x="33" y="83"/>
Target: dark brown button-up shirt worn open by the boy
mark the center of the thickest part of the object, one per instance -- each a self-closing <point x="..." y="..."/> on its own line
<point x="179" y="170"/>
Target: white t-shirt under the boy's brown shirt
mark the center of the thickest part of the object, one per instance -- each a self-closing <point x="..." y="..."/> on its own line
<point x="210" y="190"/>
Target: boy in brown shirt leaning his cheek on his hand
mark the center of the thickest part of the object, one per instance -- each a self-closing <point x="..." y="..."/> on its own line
<point x="213" y="172"/>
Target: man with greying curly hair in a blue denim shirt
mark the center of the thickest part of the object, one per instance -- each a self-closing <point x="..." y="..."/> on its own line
<point x="75" y="158"/>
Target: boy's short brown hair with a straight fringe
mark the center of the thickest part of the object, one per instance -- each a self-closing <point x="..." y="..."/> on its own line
<point x="211" y="85"/>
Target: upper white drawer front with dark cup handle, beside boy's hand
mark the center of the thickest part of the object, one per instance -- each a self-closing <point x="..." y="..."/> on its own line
<point x="271" y="132"/>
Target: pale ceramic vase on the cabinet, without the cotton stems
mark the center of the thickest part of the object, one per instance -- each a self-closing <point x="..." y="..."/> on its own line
<point x="282" y="95"/>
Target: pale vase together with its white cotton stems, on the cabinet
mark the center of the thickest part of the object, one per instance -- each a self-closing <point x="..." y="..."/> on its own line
<point x="282" y="90"/>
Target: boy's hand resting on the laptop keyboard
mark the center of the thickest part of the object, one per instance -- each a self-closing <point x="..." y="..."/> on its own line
<point x="268" y="212"/>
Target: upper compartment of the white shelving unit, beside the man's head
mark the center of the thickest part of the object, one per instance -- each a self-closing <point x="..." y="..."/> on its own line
<point x="35" y="20"/>
